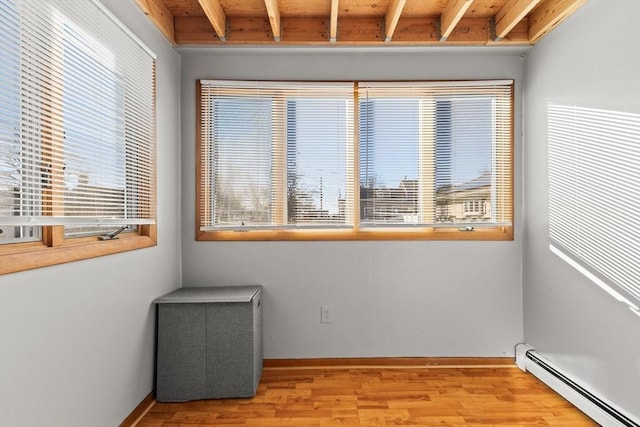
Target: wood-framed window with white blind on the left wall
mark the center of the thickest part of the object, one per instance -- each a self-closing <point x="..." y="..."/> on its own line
<point x="77" y="135"/>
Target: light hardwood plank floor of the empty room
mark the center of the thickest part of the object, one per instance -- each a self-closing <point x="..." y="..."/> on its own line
<point x="409" y="394"/>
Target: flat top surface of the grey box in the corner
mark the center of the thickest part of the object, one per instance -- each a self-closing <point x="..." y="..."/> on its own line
<point x="211" y="294"/>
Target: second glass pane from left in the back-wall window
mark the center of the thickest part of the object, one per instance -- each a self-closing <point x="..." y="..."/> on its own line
<point x="316" y="161"/>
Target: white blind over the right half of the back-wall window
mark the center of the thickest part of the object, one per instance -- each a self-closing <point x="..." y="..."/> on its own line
<point x="429" y="149"/>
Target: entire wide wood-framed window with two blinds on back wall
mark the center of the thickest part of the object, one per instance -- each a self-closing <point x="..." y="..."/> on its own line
<point x="420" y="160"/>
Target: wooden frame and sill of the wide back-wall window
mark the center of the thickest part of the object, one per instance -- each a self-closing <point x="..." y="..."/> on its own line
<point x="499" y="233"/>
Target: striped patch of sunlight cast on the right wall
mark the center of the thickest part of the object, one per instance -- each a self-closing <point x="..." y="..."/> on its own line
<point x="594" y="192"/>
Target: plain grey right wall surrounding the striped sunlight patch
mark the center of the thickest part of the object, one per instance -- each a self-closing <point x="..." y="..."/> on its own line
<point x="592" y="60"/>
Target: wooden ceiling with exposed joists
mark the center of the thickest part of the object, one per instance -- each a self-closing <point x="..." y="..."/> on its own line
<point x="357" y="22"/>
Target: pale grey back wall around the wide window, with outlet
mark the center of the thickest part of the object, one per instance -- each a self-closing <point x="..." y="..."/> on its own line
<point x="389" y="298"/>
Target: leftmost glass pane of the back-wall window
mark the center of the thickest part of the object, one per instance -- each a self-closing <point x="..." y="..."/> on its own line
<point x="241" y="159"/>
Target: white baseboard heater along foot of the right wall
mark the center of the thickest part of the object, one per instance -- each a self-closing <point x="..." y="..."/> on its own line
<point x="601" y="411"/>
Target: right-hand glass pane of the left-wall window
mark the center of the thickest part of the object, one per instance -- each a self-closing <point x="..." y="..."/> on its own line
<point x="93" y="116"/>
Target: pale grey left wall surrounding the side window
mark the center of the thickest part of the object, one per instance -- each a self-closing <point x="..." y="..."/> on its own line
<point x="77" y="340"/>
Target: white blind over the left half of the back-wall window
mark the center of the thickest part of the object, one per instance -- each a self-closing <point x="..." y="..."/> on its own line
<point x="276" y="155"/>
